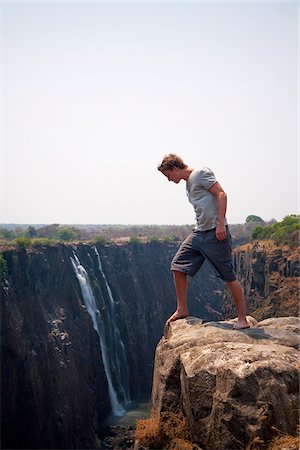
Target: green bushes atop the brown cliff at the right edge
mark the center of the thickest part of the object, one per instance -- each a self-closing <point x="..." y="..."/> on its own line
<point x="284" y="232"/>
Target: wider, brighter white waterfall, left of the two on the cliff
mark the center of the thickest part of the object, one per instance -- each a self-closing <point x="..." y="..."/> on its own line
<point x="91" y="306"/>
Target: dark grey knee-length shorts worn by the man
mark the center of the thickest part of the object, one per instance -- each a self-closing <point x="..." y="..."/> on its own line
<point x="203" y="245"/>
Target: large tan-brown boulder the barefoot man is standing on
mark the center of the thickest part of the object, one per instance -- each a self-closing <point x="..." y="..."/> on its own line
<point x="230" y="385"/>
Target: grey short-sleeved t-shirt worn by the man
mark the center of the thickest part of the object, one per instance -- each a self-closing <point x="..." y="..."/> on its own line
<point x="204" y="203"/>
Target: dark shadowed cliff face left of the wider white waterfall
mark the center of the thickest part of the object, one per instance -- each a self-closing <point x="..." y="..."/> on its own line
<point x="54" y="389"/>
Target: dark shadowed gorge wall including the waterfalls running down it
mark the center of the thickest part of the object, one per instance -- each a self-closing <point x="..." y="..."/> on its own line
<point x="76" y="322"/>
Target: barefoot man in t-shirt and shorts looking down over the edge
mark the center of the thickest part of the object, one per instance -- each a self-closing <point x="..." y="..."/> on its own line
<point x="210" y="240"/>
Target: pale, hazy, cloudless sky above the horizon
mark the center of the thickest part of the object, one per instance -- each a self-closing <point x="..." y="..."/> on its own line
<point x="95" y="94"/>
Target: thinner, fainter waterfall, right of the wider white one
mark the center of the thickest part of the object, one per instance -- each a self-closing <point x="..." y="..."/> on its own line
<point x="115" y="339"/>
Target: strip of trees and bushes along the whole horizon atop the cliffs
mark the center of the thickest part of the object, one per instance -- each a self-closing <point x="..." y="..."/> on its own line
<point x="24" y="236"/>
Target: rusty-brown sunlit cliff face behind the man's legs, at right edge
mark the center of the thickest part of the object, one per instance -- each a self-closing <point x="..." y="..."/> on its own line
<point x="270" y="277"/>
